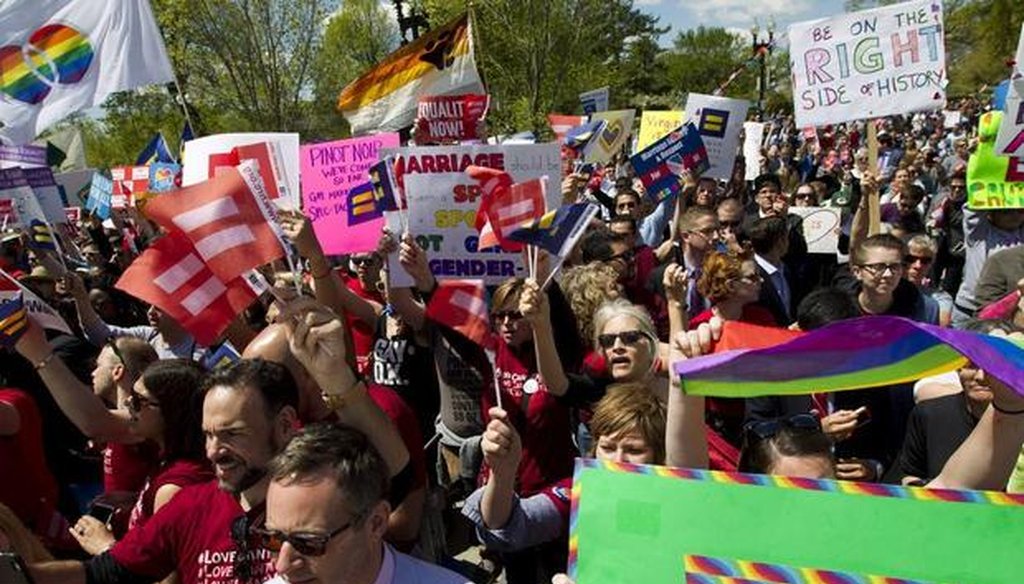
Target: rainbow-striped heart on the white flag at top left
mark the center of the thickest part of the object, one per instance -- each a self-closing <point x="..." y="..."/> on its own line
<point x="55" y="54"/>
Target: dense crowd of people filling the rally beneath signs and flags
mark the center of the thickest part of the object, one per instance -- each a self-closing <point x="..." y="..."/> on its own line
<point x="356" y="439"/>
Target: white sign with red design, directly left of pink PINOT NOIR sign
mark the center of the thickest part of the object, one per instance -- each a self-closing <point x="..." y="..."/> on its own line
<point x="282" y="179"/>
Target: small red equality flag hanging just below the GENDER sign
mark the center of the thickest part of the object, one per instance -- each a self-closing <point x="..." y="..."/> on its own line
<point x="462" y="306"/>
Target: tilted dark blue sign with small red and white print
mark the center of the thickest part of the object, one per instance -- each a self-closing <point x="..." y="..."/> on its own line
<point x="661" y="165"/>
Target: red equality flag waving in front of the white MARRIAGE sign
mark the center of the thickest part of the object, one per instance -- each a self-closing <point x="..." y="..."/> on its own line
<point x="505" y="206"/>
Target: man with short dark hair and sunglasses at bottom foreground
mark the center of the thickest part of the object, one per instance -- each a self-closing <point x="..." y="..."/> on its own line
<point x="327" y="514"/>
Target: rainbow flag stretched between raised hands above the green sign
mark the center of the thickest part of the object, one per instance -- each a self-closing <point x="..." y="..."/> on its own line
<point x="869" y="352"/>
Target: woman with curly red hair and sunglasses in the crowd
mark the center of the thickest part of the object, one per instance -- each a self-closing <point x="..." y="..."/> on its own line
<point x="731" y="281"/>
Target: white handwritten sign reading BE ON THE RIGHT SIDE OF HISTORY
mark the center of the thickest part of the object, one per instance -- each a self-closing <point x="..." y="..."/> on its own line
<point x="870" y="64"/>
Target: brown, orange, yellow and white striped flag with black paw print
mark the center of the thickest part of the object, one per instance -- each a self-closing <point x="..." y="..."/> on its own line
<point x="440" y="63"/>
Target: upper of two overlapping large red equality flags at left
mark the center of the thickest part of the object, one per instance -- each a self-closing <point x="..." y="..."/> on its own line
<point x="230" y="221"/>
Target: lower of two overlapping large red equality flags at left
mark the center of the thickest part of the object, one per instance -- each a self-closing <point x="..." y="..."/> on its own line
<point x="172" y="276"/>
